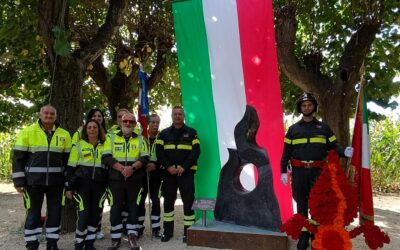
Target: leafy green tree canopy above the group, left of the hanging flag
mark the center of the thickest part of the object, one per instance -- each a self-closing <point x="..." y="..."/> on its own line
<point x="33" y="41"/>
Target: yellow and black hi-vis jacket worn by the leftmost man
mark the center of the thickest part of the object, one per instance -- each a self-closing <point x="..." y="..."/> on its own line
<point x="37" y="161"/>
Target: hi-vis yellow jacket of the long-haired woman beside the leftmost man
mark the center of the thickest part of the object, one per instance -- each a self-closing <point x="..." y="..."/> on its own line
<point x="85" y="163"/>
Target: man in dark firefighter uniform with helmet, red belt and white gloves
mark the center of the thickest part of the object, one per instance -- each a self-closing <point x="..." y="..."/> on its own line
<point x="306" y="146"/>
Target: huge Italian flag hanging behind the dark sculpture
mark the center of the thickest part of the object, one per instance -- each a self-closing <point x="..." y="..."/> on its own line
<point x="227" y="59"/>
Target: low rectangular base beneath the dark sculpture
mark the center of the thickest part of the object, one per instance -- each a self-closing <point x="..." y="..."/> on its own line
<point x="222" y="235"/>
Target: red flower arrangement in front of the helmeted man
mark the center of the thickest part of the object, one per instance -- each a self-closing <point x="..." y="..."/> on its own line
<point x="333" y="205"/>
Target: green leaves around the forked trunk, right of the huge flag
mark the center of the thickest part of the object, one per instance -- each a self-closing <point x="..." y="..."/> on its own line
<point x="325" y="27"/>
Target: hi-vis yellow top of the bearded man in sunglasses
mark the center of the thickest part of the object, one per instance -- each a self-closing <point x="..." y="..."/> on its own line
<point x="126" y="151"/>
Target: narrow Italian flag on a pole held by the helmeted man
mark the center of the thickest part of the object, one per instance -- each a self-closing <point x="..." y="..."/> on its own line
<point x="361" y="161"/>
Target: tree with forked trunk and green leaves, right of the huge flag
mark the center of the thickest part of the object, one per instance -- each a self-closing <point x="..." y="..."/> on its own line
<point x="324" y="47"/>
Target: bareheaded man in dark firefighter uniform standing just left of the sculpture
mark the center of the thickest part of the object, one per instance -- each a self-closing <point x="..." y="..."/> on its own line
<point x="178" y="149"/>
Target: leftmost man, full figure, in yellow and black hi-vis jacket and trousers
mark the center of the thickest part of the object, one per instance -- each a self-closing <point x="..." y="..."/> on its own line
<point x="40" y="155"/>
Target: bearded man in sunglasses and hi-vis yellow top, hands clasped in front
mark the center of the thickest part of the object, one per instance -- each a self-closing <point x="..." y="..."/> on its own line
<point x="125" y="154"/>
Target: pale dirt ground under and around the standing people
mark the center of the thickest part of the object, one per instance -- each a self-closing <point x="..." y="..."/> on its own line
<point x="12" y="215"/>
